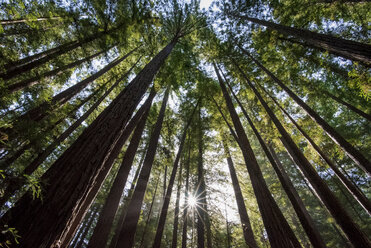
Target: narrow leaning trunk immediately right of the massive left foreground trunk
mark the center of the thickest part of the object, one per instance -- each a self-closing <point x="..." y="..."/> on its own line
<point x="65" y="237"/>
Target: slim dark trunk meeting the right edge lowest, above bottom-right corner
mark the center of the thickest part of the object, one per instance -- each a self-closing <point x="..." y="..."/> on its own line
<point x="353" y="190"/>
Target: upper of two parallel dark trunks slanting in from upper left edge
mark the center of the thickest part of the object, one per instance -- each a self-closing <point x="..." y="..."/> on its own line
<point x="26" y="64"/>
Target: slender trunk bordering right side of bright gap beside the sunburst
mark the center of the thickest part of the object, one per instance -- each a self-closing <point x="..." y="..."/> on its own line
<point x="245" y="220"/>
